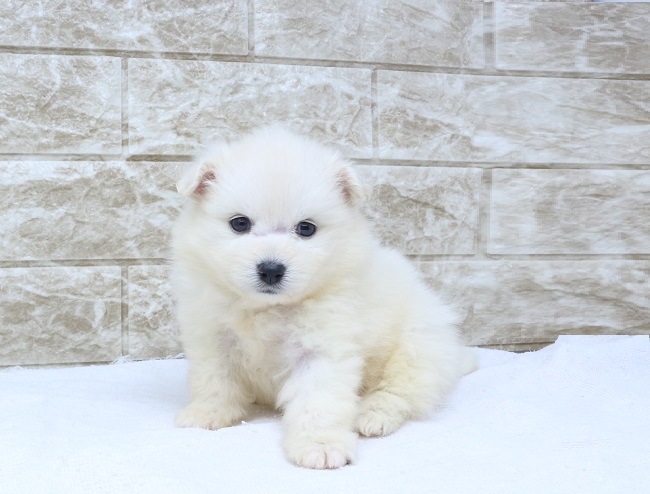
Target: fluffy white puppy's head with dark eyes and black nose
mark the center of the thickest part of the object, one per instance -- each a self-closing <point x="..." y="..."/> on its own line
<point x="272" y="219"/>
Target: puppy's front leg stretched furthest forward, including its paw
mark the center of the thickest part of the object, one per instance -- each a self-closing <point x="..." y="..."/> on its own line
<point x="320" y="405"/>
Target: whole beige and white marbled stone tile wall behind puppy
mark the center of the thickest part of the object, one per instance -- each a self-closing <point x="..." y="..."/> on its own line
<point x="508" y="144"/>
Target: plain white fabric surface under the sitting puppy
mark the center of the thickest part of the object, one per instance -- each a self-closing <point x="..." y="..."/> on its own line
<point x="573" y="417"/>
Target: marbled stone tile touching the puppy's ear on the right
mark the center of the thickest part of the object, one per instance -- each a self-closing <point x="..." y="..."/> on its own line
<point x="421" y="210"/>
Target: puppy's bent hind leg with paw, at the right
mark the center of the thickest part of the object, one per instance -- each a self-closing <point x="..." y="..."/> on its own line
<point x="416" y="377"/>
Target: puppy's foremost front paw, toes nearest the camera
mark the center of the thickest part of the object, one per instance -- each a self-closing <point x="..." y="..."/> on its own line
<point x="328" y="450"/>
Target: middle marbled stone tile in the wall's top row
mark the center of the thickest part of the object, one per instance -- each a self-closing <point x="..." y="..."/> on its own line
<point x="443" y="33"/>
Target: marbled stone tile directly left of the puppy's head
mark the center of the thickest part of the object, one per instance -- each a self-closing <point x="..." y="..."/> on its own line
<point x="86" y="210"/>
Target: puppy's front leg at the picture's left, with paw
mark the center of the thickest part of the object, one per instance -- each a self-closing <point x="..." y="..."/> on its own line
<point x="219" y="398"/>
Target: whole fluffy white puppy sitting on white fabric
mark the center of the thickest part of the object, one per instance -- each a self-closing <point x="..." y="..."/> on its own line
<point x="286" y="299"/>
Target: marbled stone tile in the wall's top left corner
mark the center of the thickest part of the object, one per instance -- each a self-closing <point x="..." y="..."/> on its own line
<point x="213" y="26"/>
